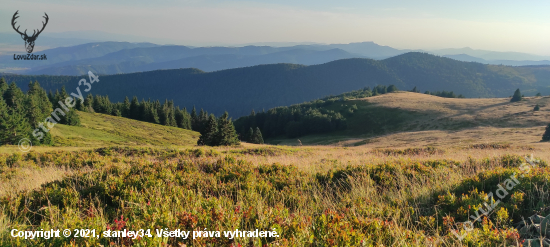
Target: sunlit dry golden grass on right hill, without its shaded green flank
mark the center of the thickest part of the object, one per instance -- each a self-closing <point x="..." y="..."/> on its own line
<point x="445" y="122"/>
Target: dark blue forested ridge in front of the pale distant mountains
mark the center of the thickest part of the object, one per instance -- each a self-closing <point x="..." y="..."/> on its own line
<point x="240" y="90"/>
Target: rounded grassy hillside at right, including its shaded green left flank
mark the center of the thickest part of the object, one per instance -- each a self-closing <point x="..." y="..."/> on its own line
<point x="404" y="119"/>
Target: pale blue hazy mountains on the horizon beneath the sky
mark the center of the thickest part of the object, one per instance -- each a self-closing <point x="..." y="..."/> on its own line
<point x="124" y="57"/>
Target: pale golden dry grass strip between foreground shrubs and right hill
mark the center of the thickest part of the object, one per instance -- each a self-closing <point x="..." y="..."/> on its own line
<point x="318" y="158"/>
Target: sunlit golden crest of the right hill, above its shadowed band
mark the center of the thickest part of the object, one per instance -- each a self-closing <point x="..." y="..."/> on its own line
<point x="495" y="112"/>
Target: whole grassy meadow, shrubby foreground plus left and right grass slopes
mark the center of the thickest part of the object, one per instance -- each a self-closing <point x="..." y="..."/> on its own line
<point x="410" y="185"/>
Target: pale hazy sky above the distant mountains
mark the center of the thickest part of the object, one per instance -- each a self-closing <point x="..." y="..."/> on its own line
<point x="522" y="26"/>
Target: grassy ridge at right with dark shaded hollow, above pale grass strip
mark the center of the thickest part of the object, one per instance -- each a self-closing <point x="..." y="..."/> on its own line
<point x="406" y="112"/>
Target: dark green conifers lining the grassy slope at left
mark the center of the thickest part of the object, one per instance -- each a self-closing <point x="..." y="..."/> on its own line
<point x="21" y="113"/>
